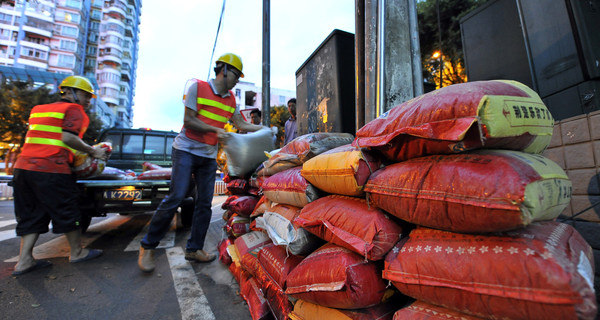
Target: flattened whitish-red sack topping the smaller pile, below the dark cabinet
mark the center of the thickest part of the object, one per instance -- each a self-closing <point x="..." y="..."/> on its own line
<point x="299" y="150"/>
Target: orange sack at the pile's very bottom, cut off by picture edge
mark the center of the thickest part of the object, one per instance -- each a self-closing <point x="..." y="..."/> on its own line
<point x="304" y="310"/>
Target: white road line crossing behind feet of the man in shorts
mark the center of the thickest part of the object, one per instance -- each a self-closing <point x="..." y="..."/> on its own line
<point x="59" y="247"/>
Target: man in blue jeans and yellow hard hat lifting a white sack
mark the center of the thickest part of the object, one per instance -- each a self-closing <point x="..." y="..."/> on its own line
<point x="209" y="105"/>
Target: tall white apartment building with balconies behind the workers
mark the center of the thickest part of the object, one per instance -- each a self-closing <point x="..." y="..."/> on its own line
<point x="46" y="40"/>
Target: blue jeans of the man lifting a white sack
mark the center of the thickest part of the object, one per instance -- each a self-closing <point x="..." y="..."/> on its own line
<point x="184" y="165"/>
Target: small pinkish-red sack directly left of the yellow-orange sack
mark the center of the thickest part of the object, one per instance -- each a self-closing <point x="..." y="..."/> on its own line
<point x="290" y="187"/>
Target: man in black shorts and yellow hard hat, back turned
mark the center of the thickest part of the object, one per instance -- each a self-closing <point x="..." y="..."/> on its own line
<point x="45" y="189"/>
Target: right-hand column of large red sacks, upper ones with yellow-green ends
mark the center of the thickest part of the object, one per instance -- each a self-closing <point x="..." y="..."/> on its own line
<point x="485" y="243"/>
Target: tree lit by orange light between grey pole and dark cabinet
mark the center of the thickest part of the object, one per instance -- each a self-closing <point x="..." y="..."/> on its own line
<point x="450" y="13"/>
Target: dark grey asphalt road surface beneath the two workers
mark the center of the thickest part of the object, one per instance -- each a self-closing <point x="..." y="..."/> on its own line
<point x="109" y="286"/>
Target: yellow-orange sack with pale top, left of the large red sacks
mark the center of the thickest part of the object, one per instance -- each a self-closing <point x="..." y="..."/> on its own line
<point x="343" y="170"/>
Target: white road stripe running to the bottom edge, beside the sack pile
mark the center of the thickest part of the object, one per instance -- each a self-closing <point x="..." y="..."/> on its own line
<point x="192" y="301"/>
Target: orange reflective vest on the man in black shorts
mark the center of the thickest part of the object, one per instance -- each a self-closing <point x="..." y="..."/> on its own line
<point x="44" y="137"/>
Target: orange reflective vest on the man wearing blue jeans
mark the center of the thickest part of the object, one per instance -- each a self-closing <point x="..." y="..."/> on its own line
<point x="212" y="110"/>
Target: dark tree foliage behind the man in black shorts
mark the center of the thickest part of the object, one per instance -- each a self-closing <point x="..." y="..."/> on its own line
<point x="17" y="98"/>
